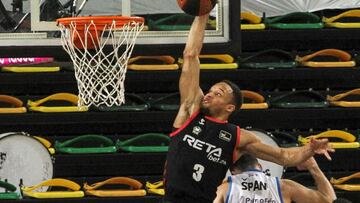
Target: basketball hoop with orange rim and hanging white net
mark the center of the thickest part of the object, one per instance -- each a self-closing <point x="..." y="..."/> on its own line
<point x="100" y="76"/>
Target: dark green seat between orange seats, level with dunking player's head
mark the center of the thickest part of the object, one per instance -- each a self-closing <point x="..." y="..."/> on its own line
<point x="299" y="99"/>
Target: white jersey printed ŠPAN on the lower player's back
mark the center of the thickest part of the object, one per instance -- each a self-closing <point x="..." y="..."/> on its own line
<point x="253" y="187"/>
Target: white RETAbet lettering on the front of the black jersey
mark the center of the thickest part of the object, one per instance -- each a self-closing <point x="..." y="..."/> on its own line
<point x="213" y="152"/>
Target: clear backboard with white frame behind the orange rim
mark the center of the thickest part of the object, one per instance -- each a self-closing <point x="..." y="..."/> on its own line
<point x="32" y="22"/>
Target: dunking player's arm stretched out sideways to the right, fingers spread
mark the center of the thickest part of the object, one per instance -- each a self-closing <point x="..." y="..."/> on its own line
<point x="283" y="156"/>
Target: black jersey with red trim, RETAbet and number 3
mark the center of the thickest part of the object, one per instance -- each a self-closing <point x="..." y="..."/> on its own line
<point x="200" y="153"/>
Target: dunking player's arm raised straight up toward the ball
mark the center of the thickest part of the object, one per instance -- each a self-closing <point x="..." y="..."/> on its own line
<point x="190" y="92"/>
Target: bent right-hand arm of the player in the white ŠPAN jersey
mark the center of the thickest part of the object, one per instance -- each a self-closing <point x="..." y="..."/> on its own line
<point x="298" y="193"/>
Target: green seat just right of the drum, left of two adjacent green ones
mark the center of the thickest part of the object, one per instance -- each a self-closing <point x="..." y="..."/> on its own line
<point x="106" y="145"/>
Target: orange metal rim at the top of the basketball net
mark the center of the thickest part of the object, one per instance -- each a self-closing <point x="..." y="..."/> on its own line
<point x="99" y="21"/>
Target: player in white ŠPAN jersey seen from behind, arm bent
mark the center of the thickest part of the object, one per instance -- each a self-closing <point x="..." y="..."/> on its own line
<point x="249" y="185"/>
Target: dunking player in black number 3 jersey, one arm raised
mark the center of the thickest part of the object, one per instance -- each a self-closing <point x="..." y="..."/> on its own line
<point x="204" y="144"/>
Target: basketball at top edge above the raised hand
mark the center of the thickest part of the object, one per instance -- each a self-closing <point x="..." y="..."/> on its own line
<point x="197" y="7"/>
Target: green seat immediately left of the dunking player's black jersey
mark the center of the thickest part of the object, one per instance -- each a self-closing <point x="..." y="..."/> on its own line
<point x="132" y="144"/>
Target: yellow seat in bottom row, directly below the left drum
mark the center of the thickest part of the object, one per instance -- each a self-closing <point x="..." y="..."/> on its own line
<point x="72" y="189"/>
